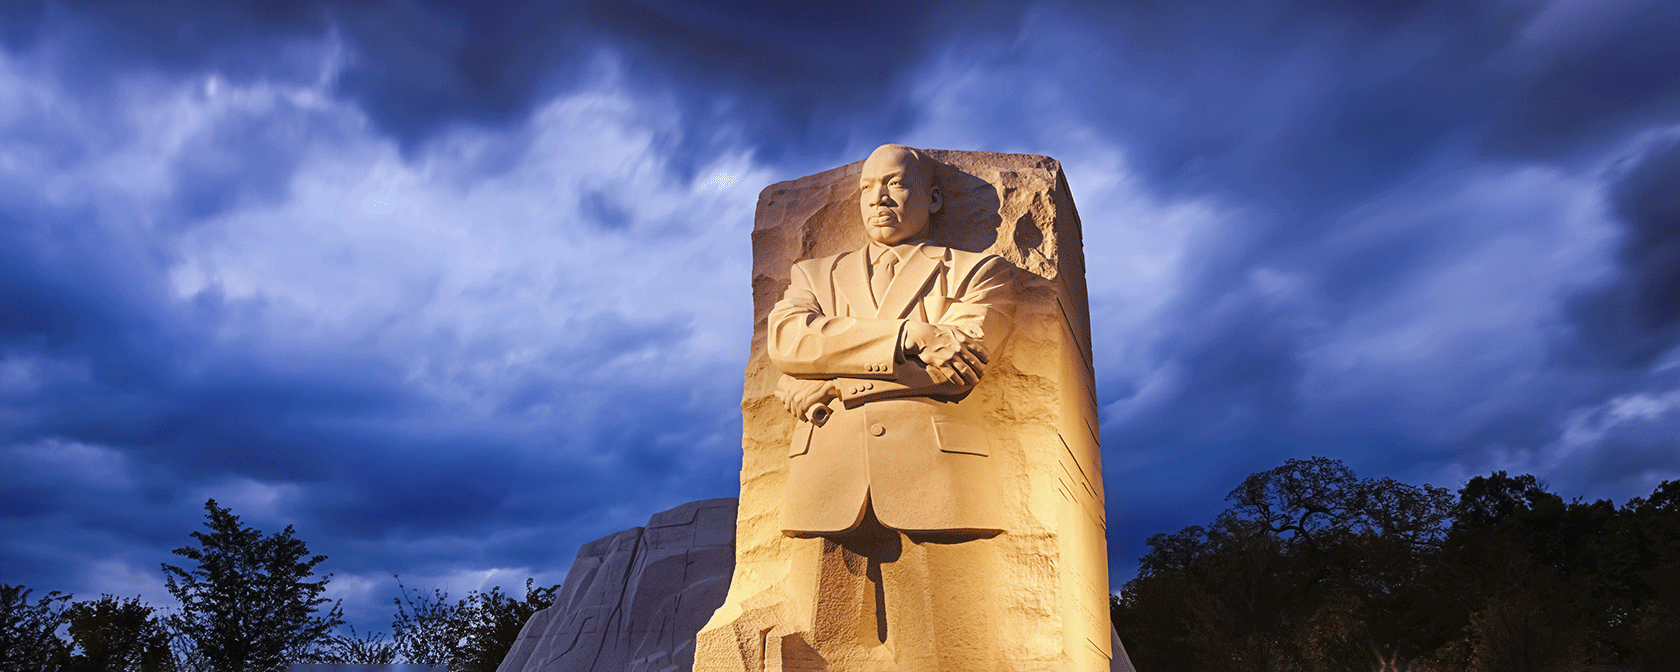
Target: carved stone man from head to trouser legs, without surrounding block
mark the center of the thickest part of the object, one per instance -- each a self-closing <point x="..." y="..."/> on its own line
<point x="879" y="349"/>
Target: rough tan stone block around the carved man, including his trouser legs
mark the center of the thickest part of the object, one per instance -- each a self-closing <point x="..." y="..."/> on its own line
<point x="1036" y="596"/>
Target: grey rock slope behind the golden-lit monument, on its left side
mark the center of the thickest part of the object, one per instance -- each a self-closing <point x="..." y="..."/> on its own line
<point x="634" y="601"/>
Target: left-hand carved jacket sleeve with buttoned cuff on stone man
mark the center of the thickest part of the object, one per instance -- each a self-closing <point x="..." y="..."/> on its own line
<point x="807" y="344"/>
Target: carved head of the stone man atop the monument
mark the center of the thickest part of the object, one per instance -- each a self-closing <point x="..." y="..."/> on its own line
<point x="898" y="196"/>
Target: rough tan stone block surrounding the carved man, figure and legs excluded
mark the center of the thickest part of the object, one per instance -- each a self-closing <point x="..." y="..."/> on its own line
<point x="1051" y="565"/>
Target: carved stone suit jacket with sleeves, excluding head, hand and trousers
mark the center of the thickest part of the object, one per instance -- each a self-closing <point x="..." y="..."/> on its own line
<point x="898" y="441"/>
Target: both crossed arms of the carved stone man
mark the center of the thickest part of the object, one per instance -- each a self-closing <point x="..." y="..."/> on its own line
<point x="861" y="360"/>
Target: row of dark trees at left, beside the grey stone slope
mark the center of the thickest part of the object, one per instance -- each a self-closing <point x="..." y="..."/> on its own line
<point x="251" y="602"/>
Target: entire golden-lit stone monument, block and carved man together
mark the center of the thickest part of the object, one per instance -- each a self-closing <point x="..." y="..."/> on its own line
<point x="921" y="480"/>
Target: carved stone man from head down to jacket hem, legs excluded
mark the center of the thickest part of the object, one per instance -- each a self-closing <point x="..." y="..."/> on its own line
<point x="898" y="333"/>
